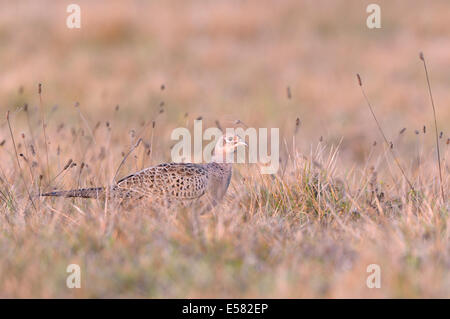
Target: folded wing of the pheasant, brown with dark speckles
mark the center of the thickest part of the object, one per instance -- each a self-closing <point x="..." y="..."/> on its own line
<point x="174" y="180"/>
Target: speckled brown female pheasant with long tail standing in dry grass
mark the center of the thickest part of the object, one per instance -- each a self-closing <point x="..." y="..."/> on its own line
<point x="171" y="184"/>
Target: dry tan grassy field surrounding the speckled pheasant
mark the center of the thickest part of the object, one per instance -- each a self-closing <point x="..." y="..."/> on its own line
<point x="338" y="203"/>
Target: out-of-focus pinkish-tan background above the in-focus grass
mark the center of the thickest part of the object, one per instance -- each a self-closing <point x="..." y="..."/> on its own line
<point x="228" y="60"/>
